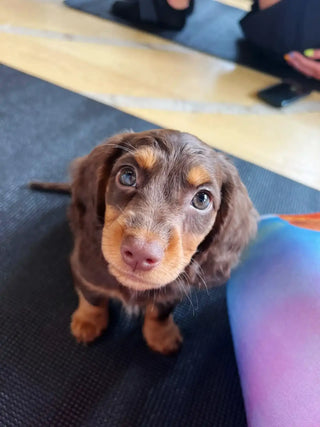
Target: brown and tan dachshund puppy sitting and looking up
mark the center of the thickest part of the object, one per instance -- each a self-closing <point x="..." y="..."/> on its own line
<point x="153" y="213"/>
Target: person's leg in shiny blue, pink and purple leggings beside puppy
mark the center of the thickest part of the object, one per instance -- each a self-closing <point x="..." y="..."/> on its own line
<point x="274" y="308"/>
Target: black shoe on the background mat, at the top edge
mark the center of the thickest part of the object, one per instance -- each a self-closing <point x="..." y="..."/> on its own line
<point x="156" y="12"/>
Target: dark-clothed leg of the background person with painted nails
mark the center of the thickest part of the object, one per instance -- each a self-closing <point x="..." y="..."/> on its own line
<point x="286" y="26"/>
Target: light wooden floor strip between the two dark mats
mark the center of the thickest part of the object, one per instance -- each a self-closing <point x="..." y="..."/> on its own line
<point x="162" y="82"/>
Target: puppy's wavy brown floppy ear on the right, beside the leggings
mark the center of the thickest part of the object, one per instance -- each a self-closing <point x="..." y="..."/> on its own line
<point x="234" y="226"/>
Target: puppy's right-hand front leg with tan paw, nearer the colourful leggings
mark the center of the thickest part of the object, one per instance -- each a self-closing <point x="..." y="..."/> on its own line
<point x="160" y="331"/>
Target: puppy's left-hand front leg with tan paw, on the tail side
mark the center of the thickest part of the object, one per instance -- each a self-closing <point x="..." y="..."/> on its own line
<point x="89" y="321"/>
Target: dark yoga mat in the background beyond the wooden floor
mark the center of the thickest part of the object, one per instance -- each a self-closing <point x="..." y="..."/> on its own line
<point x="212" y="28"/>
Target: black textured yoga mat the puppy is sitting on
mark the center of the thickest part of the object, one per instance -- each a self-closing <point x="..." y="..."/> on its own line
<point x="46" y="379"/>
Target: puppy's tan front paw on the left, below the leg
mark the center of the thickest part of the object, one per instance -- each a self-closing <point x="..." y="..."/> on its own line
<point x="86" y="328"/>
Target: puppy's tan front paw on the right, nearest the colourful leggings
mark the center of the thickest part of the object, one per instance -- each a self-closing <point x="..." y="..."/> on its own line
<point x="162" y="336"/>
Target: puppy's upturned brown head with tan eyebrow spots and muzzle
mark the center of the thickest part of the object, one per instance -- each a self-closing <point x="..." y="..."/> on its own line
<point x="164" y="197"/>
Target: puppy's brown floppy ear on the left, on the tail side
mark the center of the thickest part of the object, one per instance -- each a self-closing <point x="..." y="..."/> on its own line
<point x="90" y="176"/>
